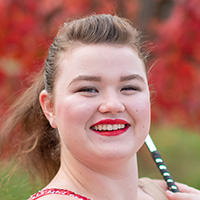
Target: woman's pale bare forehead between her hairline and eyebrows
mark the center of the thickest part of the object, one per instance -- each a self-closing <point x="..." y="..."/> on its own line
<point x="89" y="58"/>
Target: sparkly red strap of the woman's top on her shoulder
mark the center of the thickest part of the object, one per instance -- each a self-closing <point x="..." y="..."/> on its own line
<point x="56" y="191"/>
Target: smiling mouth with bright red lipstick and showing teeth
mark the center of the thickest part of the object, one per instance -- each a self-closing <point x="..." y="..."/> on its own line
<point x="110" y="127"/>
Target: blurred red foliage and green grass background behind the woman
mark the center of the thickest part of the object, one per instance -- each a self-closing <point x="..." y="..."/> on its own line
<point x="172" y="27"/>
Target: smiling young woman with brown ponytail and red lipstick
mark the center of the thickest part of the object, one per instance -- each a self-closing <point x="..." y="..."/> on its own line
<point x="82" y="122"/>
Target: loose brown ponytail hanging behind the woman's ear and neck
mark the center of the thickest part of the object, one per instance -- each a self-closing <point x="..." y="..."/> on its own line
<point x="28" y="136"/>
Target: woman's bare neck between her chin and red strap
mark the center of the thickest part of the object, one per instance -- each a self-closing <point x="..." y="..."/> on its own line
<point x="117" y="180"/>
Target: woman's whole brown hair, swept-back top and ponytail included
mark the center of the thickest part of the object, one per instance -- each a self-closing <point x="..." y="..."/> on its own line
<point x="27" y="133"/>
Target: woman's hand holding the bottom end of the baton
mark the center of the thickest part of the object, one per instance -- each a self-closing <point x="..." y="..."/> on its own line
<point x="186" y="193"/>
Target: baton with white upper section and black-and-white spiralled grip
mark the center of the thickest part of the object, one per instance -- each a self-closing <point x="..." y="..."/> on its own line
<point x="161" y="165"/>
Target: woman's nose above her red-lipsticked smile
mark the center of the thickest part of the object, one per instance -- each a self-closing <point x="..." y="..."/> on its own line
<point x="111" y="104"/>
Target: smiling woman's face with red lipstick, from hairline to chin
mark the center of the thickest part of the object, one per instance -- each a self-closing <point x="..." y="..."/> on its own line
<point x="101" y="103"/>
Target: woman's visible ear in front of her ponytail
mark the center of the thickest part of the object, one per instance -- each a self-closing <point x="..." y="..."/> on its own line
<point x="48" y="107"/>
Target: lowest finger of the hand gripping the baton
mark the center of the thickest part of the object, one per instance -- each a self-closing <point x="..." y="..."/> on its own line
<point x="181" y="196"/>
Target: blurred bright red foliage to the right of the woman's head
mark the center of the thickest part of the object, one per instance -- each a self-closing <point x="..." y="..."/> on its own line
<point x="176" y="76"/>
